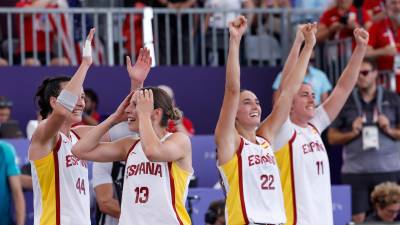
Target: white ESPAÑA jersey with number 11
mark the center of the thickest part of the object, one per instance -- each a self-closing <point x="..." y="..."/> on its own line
<point x="304" y="170"/>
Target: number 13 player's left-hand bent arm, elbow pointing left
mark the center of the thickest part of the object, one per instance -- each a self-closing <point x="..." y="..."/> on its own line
<point x="90" y="147"/>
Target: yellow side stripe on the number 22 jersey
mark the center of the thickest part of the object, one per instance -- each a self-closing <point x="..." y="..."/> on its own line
<point x="233" y="203"/>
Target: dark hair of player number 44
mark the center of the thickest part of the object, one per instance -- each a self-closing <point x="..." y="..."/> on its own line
<point x="50" y="87"/>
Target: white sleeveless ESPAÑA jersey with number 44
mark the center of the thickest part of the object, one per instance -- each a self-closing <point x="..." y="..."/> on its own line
<point x="61" y="186"/>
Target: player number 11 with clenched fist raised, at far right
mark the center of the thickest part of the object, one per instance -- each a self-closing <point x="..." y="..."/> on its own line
<point x="303" y="162"/>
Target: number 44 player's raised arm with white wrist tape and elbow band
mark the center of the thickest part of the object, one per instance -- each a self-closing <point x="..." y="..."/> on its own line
<point x="47" y="131"/>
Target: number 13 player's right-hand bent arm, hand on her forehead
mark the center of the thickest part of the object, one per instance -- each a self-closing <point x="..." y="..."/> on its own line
<point x="176" y="148"/>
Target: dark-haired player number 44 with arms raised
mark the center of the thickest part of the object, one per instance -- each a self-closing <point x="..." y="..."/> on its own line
<point x="60" y="180"/>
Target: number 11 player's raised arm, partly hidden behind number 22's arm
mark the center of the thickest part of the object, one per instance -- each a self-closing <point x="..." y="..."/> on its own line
<point x="291" y="60"/>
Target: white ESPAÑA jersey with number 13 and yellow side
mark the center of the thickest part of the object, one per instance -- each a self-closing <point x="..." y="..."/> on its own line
<point x="154" y="192"/>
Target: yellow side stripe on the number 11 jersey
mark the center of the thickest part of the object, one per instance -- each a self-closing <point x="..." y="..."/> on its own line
<point x="284" y="160"/>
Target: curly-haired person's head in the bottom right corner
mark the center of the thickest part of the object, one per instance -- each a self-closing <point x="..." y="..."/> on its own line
<point x="386" y="201"/>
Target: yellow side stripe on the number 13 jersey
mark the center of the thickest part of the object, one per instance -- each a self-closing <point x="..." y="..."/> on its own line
<point x="181" y="178"/>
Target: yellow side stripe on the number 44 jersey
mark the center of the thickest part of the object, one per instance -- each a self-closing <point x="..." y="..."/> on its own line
<point x="45" y="170"/>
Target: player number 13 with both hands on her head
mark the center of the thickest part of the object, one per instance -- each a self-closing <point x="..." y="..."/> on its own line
<point x="158" y="166"/>
